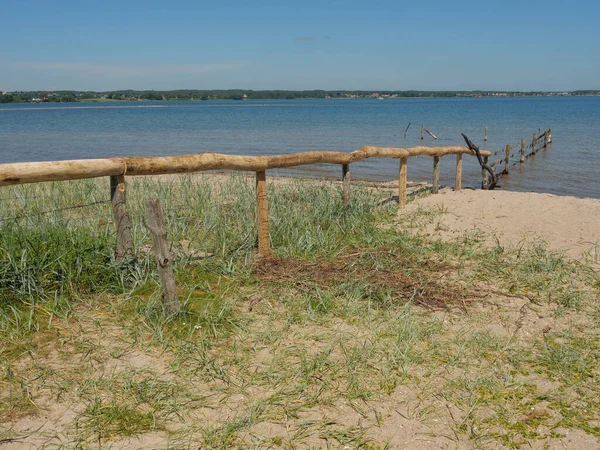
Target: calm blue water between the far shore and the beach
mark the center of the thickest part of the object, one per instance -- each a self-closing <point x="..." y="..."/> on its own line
<point x="44" y="132"/>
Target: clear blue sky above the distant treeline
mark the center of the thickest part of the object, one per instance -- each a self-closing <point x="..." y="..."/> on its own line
<point x="377" y="45"/>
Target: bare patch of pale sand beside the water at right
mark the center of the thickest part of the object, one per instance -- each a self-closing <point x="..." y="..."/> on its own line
<point x="567" y="224"/>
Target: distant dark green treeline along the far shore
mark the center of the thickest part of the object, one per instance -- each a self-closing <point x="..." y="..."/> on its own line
<point x="242" y="94"/>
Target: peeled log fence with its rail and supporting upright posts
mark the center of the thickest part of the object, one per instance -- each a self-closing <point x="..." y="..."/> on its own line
<point x="36" y="172"/>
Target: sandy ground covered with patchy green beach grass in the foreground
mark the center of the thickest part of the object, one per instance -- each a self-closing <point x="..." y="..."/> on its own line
<point x="355" y="329"/>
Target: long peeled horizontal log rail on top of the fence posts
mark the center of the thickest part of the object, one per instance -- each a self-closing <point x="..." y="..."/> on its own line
<point x="35" y="172"/>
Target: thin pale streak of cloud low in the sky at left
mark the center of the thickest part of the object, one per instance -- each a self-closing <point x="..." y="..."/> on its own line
<point x="114" y="70"/>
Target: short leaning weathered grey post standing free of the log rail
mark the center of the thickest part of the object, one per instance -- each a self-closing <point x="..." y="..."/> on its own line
<point x="164" y="262"/>
